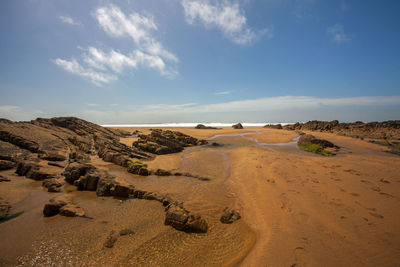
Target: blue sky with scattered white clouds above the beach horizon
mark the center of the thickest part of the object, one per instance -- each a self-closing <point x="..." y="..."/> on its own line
<point x="155" y="61"/>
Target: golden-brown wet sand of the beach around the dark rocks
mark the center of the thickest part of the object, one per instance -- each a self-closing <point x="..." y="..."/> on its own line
<point x="298" y="209"/>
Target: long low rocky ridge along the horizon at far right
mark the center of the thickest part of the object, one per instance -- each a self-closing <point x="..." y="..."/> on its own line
<point x="377" y="130"/>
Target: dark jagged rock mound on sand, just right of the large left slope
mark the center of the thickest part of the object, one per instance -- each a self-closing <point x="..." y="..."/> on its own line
<point x="165" y="142"/>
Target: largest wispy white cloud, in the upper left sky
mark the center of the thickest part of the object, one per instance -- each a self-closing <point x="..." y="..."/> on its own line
<point x="102" y="67"/>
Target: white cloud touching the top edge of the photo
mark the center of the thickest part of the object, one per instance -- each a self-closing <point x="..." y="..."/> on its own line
<point x="224" y="15"/>
